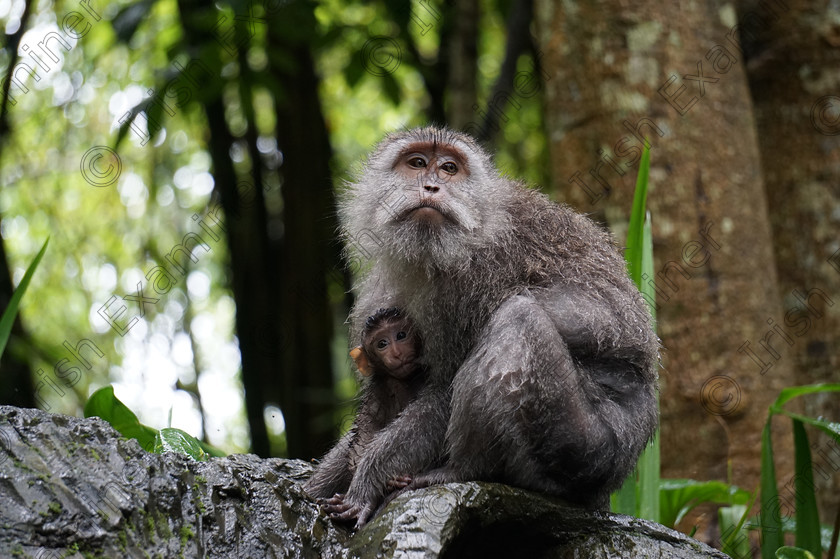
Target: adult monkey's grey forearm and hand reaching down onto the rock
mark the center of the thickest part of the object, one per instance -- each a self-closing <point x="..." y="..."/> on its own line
<point x="411" y="444"/>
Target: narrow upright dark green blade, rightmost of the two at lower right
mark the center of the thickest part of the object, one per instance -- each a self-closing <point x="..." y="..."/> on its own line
<point x="807" y="517"/>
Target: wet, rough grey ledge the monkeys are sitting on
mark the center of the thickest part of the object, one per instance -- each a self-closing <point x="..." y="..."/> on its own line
<point x="75" y="488"/>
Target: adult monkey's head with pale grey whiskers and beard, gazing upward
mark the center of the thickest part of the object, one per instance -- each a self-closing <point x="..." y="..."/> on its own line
<point x="428" y="197"/>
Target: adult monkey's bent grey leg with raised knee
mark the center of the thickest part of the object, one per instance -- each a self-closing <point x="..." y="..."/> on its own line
<point x="525" y="411"/>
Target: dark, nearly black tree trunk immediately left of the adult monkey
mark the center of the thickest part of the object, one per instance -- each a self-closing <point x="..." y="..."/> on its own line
<point x="309" y="244"/>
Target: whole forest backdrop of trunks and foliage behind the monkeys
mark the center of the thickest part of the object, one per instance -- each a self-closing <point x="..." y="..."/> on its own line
<point x="184" y="158"/>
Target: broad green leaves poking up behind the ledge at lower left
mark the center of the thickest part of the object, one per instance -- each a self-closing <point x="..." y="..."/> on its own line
<point x="103" y="403"/>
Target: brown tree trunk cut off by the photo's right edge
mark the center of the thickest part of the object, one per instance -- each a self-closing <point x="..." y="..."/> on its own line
<point x="790" y="60"/>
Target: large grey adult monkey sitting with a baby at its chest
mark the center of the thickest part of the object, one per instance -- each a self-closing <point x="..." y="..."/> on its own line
<point x="540" y="351"/>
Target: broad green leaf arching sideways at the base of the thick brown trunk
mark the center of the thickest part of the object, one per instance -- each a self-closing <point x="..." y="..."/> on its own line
<point x="678" y="496"/>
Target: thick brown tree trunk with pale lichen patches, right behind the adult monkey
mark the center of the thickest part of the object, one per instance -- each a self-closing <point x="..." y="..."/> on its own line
<point x="621" y="71"/>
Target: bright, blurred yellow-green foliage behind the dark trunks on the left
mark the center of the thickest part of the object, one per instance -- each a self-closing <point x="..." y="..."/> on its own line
<point x="182" y="357"/>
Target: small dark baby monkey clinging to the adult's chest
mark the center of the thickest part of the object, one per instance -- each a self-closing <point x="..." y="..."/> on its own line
<point x="389" y="357"/>
